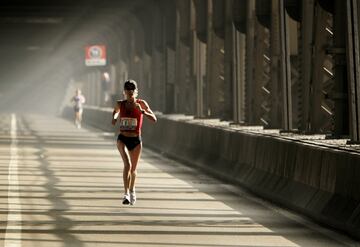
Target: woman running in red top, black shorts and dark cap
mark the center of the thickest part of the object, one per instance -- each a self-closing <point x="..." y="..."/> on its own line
<point x="130" y="113"/>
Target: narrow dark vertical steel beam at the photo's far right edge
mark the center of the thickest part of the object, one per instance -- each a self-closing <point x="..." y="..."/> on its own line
<point x="352" y="51"/>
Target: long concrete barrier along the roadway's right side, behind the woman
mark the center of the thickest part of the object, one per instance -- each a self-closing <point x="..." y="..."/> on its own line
<point x="319" y="182"/>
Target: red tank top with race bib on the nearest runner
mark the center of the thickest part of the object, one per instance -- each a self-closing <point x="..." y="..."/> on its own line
<point x="130" y="119"/>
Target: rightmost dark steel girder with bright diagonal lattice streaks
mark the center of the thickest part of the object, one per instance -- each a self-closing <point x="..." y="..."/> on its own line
<point x="320" y="116"/>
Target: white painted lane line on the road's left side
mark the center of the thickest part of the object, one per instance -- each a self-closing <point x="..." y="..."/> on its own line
<point x="13" y="226"/>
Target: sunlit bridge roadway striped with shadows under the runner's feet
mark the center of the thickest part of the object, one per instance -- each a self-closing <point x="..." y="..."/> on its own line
<point x="62" y="186"/>
